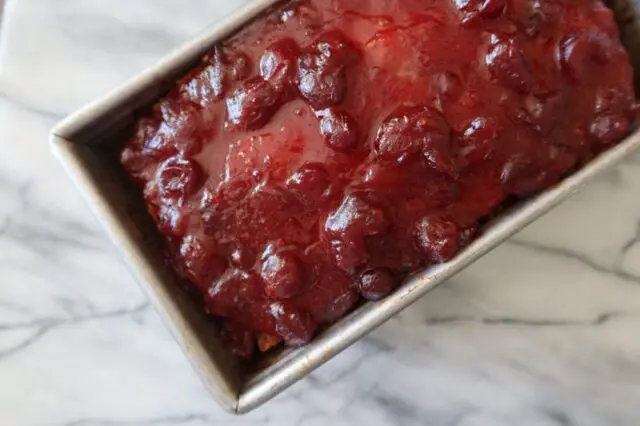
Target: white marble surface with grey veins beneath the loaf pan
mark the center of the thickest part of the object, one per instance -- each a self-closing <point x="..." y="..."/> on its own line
<point x="542" y="332"/>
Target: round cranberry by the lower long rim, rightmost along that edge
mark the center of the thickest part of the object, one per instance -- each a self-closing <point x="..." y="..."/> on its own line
<point x="438" y="237"/>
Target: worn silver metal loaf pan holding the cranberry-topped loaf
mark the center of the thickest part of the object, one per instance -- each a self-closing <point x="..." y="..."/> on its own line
<point x="86" y="144"/>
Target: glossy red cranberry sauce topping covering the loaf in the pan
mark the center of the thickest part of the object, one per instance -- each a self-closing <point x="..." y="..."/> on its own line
<point x="334" y="146"/>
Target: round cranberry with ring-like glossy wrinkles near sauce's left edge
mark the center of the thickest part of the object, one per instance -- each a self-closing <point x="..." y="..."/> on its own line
<point x="177" y="179"/>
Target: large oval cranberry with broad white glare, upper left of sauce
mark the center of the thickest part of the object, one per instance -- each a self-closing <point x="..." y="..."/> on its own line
<point x="252" y="105"/>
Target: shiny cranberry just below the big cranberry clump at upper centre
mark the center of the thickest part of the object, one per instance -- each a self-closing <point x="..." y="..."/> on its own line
<point x="339" y="129"/>
